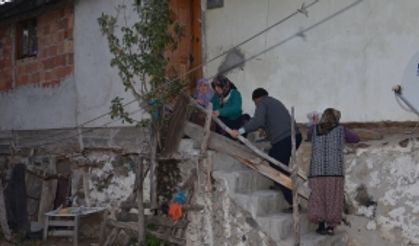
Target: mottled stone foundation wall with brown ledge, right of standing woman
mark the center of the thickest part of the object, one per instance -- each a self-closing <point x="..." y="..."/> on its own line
<point x="381" y="186"/>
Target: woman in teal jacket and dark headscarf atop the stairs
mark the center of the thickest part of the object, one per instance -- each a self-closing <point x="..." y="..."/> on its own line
<point x="227" y="103"/>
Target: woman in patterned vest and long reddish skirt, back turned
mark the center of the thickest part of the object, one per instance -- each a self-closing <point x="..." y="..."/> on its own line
<point x="326" y="177"/>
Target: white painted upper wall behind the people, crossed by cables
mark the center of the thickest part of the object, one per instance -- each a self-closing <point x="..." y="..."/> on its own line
<point x="349" y="59"/>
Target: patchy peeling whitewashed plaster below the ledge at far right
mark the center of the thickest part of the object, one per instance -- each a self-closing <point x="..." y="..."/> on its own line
<point x="390" y="172"/>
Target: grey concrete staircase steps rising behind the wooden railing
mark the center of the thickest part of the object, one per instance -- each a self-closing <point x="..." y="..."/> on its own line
<point x="250" y="190"/>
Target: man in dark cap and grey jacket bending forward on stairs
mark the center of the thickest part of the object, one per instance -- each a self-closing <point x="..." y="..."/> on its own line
<point x="272" y="116"/>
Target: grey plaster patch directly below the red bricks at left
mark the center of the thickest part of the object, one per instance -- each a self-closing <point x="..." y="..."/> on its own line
<point x="36" y="107"/>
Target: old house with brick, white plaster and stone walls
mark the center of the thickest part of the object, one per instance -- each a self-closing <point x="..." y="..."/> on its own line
<point x="56" y="85"/>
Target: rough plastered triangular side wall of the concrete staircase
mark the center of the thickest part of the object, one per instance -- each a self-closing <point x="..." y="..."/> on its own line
<point x="222" y="222"/>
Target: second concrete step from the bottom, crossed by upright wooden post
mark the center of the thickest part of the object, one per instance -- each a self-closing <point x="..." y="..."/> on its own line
<point x="279" y="226"/>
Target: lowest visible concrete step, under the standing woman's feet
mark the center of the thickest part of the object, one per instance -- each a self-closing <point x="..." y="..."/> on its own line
<point x="313" y="239"/>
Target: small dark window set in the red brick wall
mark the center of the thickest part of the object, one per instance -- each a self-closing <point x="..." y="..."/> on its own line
<point x="26" y="39"/>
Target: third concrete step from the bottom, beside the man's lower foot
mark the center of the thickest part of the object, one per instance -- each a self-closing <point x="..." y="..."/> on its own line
<point x="261" y="202"/>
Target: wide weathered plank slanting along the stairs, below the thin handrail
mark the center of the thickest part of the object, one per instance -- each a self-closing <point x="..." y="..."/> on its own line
<point x="236" y="150"/>
